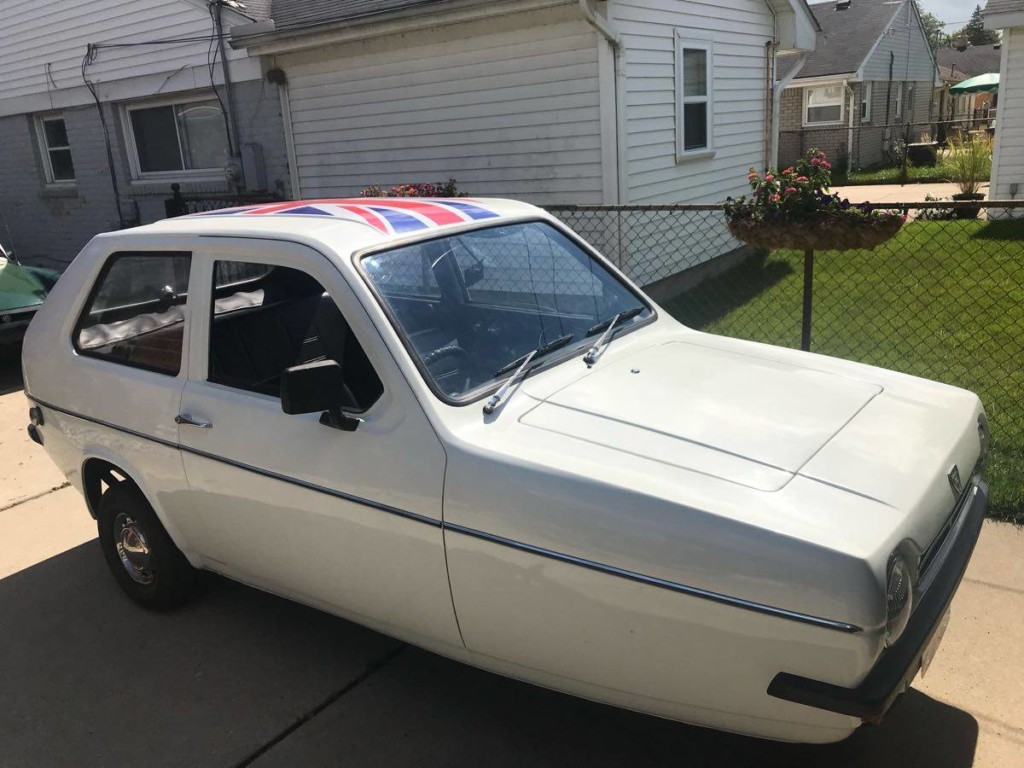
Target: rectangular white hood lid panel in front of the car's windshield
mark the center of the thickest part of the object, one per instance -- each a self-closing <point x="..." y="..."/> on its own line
<point x="738" y="417"/>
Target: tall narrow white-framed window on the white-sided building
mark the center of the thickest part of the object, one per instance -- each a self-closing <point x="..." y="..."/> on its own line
<point x="695" y="120"/>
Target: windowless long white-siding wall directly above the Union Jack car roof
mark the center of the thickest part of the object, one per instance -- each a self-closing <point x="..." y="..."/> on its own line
<point x="509" y="106"/>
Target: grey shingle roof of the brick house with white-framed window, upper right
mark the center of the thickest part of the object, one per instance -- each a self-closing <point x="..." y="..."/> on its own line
<point x="847" y="36"/>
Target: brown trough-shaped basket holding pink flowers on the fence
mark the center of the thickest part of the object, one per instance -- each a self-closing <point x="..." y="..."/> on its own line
<point x="826" y="232"/>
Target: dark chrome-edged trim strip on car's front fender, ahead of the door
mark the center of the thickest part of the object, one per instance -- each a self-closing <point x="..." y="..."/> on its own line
<point x="736" y="603"/>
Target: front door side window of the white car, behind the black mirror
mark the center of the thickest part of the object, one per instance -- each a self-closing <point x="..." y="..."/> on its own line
<point x="268" y="319"/>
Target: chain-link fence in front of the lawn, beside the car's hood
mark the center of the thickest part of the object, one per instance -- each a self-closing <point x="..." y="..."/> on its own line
<point x="945" y="300"/>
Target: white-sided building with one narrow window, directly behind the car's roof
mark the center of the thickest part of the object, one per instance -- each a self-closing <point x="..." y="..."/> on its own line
<point x="552" y="102"/>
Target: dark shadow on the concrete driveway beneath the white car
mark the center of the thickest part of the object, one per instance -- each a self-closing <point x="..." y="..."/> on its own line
<point x="91" y="679"/>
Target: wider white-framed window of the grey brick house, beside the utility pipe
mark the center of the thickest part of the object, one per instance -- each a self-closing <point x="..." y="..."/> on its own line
<point x="178" y="138"/>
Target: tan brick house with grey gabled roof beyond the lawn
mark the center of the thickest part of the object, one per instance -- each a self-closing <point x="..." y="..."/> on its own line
<point x="872" y="81"/>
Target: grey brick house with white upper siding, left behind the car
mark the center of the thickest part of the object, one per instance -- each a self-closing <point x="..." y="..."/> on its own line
<point x="105" y="105"/>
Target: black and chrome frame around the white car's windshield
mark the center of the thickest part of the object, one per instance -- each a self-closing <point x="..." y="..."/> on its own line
<point x="557" y="359"/>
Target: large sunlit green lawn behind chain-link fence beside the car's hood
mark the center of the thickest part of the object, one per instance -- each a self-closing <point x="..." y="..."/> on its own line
<point x="944" y="301"/>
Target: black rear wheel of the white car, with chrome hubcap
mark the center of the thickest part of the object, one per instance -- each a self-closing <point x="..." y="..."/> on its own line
<point x="154" y="573"/>
